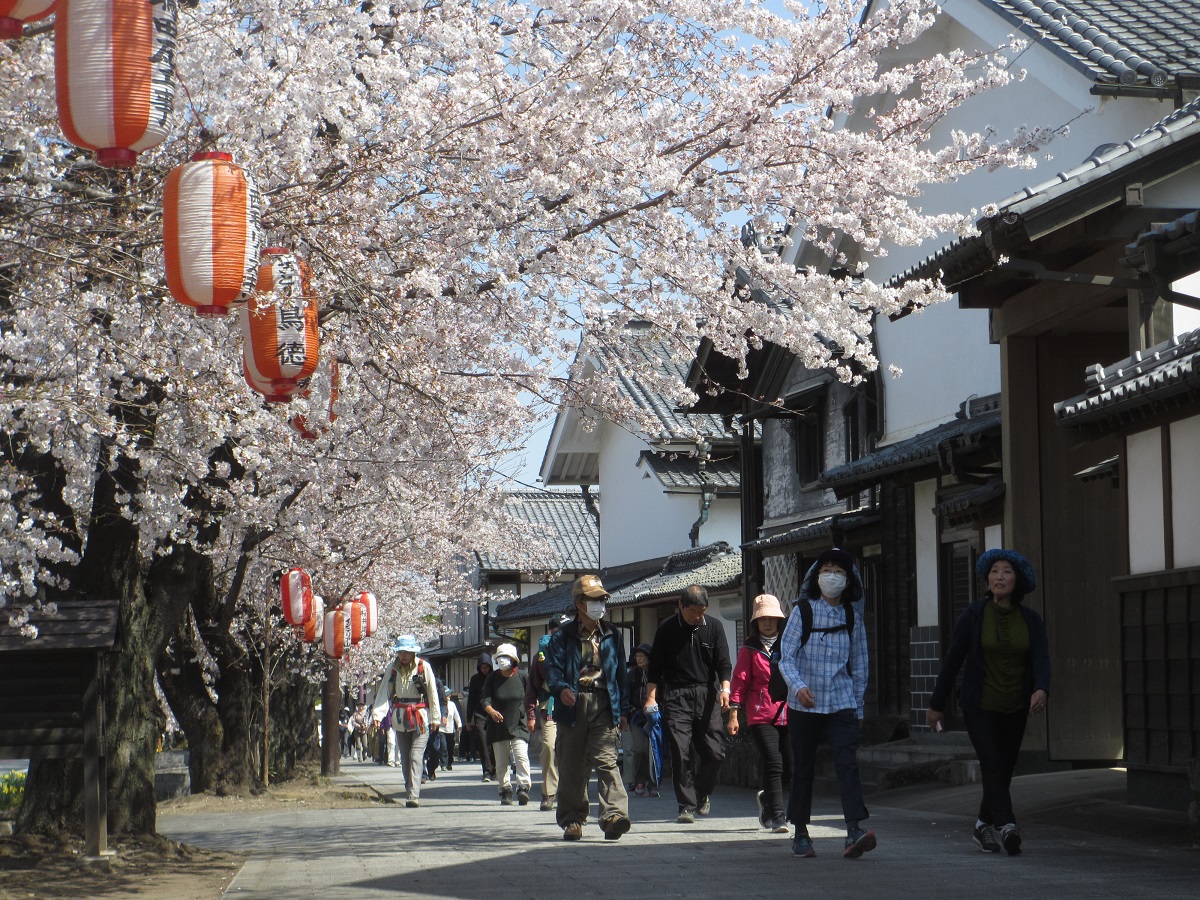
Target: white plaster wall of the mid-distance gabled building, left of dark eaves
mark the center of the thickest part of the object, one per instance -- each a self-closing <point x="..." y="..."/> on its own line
<point x="638" y="520"/>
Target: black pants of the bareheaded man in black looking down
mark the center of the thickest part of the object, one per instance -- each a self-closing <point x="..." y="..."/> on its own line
<point x="693" y="718"/>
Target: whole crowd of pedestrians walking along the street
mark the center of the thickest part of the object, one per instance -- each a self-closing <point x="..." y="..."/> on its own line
<point x="800" y="679"/>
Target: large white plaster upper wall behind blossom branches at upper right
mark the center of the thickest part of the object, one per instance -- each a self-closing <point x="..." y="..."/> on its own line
<point x="945" y="352"/>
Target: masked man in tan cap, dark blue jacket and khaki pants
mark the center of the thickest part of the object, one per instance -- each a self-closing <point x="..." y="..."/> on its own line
<point x="586" y="675"/>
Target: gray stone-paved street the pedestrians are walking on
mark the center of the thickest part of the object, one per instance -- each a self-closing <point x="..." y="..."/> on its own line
<point x="1082" y="842"/>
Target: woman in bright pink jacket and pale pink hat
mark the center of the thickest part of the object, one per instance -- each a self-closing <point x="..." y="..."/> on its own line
<point x="752" y="688"/>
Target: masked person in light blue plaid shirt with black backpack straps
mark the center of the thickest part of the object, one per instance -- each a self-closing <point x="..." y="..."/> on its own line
<point x="824" y="662"/>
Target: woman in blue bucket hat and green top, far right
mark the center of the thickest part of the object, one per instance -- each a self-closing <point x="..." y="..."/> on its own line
<point x="1001" y="646"/>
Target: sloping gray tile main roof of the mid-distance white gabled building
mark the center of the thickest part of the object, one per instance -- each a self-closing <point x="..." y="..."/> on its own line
<point x="639" y="343"/>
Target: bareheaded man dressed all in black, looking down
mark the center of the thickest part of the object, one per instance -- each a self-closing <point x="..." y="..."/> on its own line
<point x="691" y="665"/>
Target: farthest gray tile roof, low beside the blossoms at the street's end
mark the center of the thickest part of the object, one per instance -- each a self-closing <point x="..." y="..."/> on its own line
<point x="561" y="519"/>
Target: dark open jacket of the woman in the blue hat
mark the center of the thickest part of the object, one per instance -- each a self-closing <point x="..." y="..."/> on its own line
<point x="967" y="646"/>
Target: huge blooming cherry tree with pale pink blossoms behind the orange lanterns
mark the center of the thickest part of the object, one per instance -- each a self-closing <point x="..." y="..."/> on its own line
<point x="478" y="185"/>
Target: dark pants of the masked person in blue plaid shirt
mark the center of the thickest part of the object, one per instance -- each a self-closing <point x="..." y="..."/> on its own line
<point x="806" y="731"/>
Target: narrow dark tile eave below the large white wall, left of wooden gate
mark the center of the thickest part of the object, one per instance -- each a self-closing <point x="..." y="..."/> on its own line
<point x="922" y="451"/>
